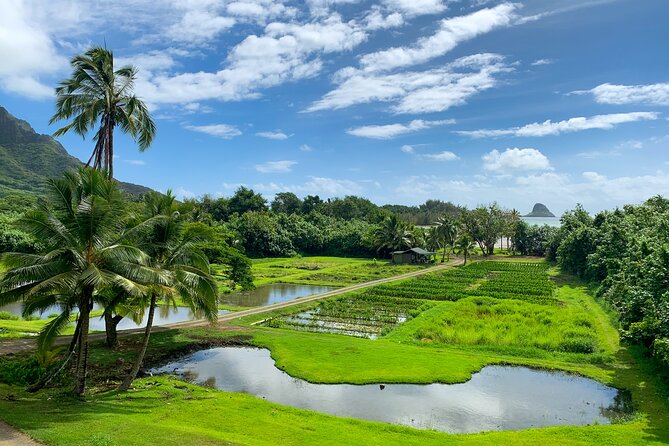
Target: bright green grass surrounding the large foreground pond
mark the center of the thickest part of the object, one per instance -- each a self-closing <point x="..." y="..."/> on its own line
<point x="177" y="414"/>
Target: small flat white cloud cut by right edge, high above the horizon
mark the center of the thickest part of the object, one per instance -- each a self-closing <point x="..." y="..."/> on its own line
<point x="653" y="94"/>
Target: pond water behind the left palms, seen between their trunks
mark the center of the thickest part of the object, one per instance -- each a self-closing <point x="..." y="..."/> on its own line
<point x="163" y="315"/>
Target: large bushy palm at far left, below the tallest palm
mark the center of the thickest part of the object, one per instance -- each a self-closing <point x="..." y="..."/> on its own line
<point x="78" y="224"/>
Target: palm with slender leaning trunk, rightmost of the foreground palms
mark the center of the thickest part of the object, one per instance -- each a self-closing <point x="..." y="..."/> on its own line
<point x="174" y="251"/>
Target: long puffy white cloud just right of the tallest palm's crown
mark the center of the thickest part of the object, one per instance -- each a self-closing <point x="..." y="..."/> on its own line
<point x="285" y="52"/>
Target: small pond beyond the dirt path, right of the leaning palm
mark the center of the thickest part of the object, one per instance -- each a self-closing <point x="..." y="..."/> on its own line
<point x="274" y="293"/>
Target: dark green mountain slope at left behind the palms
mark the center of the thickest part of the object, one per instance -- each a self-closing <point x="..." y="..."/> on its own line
<point x="28" y="159"/>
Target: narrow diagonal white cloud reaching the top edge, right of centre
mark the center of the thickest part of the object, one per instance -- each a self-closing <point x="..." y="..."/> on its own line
<point x="452" y="31"/>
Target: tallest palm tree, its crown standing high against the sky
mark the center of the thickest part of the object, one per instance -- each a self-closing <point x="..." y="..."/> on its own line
<point x="97" y="93"/>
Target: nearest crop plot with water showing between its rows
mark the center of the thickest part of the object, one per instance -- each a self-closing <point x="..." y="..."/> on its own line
<point x="353" y="314"/>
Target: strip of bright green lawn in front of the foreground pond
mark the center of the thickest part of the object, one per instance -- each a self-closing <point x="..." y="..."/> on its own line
<point x="168" y="412"/>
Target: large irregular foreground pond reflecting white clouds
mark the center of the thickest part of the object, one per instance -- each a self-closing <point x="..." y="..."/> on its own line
<point x="497" y="398"/>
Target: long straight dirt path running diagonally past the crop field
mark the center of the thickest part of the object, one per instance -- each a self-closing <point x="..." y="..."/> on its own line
<point x="23" y="345"/>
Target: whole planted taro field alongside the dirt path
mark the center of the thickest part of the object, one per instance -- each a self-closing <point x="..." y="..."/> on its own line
<point x="376" y="311"/>
